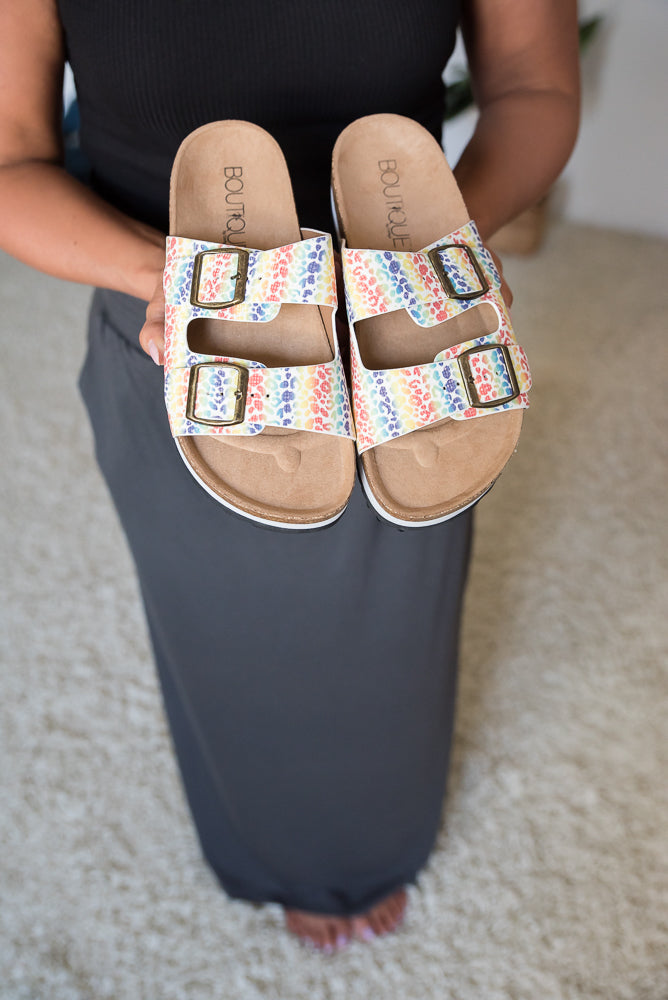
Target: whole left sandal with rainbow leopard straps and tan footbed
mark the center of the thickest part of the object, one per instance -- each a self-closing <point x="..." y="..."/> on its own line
<point x="254" y="385"/>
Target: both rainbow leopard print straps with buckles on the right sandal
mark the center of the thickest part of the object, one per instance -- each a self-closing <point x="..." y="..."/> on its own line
<point x="472" y="379"/>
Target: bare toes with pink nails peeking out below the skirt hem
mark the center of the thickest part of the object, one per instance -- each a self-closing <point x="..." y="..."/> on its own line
<point x="331" y="933"/>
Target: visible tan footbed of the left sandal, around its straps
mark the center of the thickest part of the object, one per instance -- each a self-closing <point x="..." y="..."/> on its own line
<point x="284" y="476"/>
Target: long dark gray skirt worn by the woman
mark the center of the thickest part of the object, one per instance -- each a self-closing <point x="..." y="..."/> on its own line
<point x="308" y="677"/>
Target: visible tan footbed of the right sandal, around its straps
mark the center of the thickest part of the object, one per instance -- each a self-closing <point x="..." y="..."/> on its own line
<point x="434" y="471"/>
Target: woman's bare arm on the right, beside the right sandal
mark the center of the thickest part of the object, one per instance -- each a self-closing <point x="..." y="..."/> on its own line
<point x="523" y="58"/>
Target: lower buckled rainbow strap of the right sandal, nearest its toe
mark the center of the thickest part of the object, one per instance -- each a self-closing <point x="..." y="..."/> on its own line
<point x="481" y="376"/>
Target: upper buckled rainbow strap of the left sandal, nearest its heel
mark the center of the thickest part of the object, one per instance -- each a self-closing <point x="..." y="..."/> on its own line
<point x="236" y="283"/>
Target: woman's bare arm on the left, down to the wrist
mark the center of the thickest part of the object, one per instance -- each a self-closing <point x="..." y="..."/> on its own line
<point x="48" y="219"/>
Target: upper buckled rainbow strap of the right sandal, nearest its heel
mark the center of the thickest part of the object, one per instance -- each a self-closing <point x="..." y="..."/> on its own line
<point x="432" y="285"/>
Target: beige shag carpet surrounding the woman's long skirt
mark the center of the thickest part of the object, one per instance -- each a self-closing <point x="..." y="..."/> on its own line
<point x="550" y="880"/>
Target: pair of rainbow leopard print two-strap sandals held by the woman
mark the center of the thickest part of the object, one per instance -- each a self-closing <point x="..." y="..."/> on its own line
<point x="254" y="383"/>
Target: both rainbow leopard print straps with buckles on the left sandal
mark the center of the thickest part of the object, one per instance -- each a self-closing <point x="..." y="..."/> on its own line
<point x="210" y="394"/>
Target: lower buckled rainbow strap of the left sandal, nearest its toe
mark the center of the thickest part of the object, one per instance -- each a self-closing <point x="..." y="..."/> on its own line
<point x="217" y="395"/>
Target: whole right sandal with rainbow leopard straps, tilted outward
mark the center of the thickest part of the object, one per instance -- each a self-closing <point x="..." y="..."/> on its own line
<point x="439" y="382"/>
